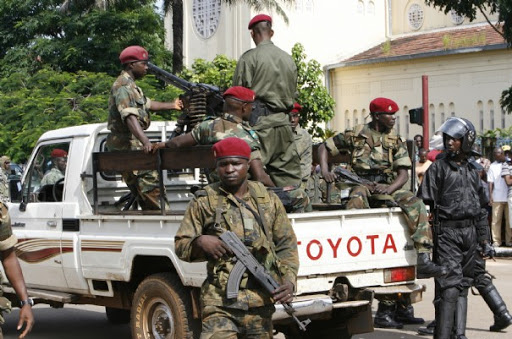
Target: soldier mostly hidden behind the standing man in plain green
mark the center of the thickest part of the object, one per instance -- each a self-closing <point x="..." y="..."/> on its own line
<point x="304" y="145"/>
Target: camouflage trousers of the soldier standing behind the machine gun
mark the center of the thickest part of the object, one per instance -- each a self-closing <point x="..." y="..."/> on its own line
<point x="145" y="186"/>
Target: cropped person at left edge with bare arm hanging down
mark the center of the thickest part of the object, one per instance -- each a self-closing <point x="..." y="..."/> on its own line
<point x="12" y="267"/>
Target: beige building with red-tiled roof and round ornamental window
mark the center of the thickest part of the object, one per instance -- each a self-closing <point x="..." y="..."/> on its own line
<point x="372" y="48"/>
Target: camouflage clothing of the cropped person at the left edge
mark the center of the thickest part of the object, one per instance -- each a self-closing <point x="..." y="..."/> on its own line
<point x="7" y="239"/>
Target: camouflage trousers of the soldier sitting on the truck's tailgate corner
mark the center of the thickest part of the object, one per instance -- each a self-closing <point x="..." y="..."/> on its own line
<point x="359" y="197"/>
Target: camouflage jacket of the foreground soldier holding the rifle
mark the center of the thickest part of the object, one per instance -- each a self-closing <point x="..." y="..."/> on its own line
<point x="200" y="218"/>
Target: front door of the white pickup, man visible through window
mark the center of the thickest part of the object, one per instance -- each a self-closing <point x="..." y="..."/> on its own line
<point x="37" y="219"/>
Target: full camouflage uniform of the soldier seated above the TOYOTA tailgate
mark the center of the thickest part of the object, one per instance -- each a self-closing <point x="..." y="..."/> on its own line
<point x="377" y="157"/>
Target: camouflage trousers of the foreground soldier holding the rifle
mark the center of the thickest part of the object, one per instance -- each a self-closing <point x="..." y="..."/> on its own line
<point x="229" y="323"/>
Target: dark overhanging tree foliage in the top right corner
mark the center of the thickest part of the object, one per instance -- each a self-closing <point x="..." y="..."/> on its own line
<point x="469" y="9"/>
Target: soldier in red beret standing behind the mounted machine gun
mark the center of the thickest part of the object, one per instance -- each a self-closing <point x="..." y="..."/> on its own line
<point x="128" y="118"/>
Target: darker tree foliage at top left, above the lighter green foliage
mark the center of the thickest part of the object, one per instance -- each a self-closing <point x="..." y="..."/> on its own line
<point x="37" y="34"/>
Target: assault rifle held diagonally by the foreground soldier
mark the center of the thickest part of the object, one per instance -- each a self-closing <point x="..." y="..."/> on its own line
<point x="246" y="261"/>
